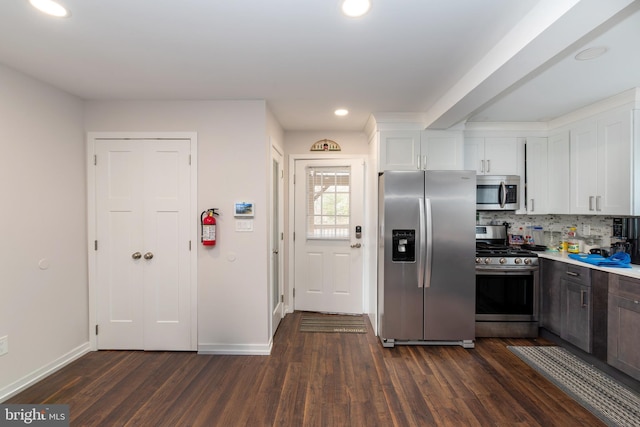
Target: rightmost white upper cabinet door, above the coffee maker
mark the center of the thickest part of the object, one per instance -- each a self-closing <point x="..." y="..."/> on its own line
<point x="613" y="195"/>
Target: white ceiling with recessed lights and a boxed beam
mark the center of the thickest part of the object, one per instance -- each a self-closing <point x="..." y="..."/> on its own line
<point x="448" y="60"/>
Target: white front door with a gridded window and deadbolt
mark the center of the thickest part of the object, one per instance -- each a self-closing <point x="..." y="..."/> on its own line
<point x="329" y="203"/>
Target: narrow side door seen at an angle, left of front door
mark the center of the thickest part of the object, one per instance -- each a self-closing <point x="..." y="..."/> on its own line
<point x="277" y="242"/>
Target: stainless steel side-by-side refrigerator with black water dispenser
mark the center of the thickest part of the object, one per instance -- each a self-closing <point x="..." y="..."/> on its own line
<point x="426" y="260"/>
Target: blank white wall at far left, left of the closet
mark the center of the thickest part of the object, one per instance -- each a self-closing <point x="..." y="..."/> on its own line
<point x="43" y="253"/>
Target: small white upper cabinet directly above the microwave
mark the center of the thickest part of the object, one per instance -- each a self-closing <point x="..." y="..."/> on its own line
<point x="493" y="156"/>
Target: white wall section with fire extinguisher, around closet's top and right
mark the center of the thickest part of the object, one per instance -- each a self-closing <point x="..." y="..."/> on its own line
<point x="232" y="166"/>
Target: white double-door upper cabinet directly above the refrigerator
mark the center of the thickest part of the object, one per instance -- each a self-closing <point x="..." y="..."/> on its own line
<point x="415" y="149"/>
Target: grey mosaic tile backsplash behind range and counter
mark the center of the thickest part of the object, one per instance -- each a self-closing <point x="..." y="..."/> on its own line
<point x="586" y="225"/>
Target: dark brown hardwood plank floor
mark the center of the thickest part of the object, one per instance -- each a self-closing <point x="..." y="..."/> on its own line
<point x="312" y="379"/>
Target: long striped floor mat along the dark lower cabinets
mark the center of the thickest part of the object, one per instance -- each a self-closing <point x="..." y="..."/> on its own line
<point x="606" y="398"/>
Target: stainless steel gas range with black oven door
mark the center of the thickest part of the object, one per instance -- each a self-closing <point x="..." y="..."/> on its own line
<point x="507" y="286"/>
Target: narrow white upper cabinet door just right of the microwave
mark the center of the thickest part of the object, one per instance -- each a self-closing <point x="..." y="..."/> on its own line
<point x="536" y="176"/>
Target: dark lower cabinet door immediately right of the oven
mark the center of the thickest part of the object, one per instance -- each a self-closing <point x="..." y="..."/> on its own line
<point x="551" y="274"/>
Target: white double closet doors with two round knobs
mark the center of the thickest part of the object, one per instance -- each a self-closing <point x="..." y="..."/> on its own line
<point x="143" y="285"/>
